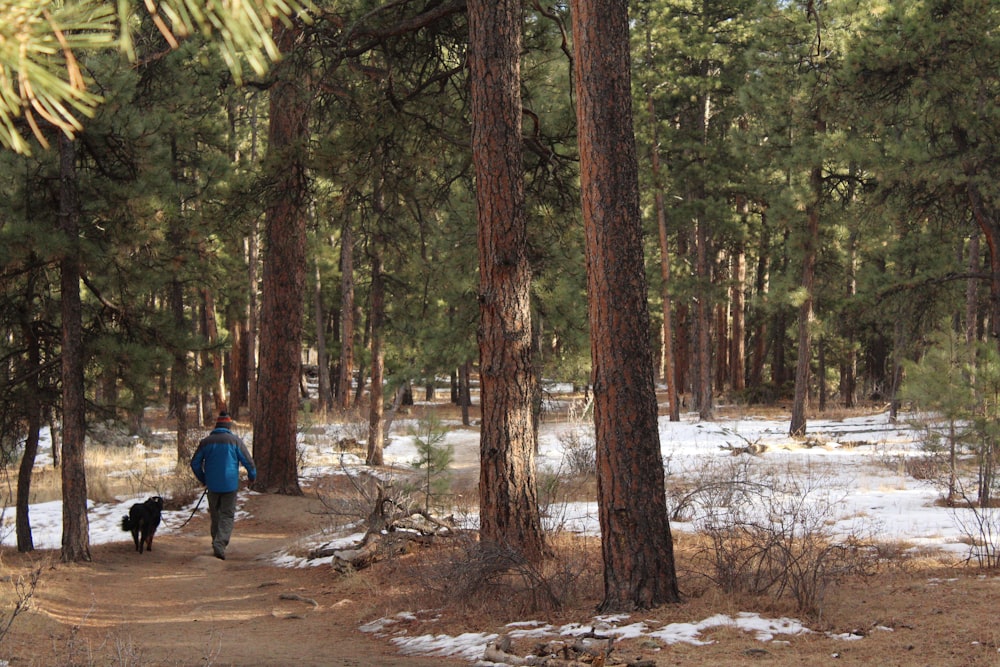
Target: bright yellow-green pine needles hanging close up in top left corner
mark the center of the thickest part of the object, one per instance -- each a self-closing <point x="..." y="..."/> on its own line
<point x="42" y="43"/>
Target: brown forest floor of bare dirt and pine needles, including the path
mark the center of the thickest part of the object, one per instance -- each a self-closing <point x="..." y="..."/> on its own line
<point x="178" y="605"/>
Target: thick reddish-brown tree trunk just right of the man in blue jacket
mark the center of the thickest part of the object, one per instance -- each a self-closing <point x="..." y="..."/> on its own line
<point x="276" y="412"/>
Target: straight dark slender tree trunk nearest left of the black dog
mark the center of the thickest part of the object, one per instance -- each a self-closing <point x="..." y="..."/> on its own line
<point x="76" y="528"/>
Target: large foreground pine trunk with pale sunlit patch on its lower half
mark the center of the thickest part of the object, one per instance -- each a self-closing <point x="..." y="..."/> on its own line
<point x="508" y="499"/>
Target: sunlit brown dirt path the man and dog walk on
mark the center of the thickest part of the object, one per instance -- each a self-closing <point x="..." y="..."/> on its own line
<point x="178" y="605"/>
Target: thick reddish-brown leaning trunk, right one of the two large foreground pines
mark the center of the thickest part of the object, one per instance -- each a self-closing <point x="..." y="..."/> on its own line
<point x="636" y="543"/>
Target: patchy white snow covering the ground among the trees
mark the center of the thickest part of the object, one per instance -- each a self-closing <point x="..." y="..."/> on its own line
<point x="852" y="471"/>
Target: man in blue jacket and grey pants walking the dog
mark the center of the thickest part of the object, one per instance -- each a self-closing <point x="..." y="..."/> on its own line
<point x="216" y="464"/>
